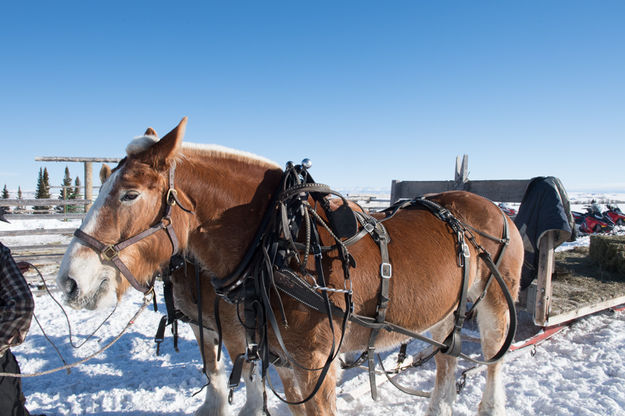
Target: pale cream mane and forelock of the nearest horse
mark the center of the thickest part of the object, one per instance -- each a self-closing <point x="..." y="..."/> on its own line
<point x="141" y="143"/>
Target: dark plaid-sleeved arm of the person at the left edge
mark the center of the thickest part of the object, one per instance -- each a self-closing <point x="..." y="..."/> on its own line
<point x="16" y="302"/>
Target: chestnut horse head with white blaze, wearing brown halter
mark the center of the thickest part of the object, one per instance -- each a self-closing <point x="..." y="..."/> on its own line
<point x="135" y="196"/>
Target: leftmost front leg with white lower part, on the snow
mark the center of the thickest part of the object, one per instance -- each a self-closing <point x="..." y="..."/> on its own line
<point x="216" y="401"/>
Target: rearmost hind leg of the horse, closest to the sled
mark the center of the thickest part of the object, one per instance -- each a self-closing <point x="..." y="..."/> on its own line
<point x="493" y="322"/>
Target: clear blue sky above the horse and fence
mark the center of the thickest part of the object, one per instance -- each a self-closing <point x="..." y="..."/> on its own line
<point x="371" y="91"/>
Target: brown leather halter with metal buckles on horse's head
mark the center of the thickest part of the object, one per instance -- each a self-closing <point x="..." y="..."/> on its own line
<point x="110" y="252"/>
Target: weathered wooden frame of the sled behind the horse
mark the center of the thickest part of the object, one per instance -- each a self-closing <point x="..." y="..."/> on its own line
<point x="538" y="298"/>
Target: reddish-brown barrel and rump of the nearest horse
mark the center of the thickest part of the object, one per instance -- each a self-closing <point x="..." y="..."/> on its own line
<point x="423" y="251"/>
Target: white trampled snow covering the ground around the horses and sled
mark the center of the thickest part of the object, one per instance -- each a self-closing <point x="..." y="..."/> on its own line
<point x="580" y="371"/>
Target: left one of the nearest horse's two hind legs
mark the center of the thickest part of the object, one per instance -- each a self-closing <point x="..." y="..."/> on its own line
<point x="444" y="393"/>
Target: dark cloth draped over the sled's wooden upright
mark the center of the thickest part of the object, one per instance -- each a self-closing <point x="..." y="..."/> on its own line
<point x="545" y="207"/>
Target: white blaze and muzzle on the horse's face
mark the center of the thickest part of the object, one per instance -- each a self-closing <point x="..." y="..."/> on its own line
<point x="95" y="281"/>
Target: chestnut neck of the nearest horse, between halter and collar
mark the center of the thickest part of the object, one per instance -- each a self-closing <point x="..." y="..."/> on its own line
<point x="230" y="199"/>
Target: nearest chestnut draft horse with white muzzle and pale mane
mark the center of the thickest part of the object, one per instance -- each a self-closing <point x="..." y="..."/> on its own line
<point x="223" y="195"/>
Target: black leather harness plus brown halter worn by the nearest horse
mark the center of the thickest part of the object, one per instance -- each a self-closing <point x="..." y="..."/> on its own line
<point x="265" y="269"/>
